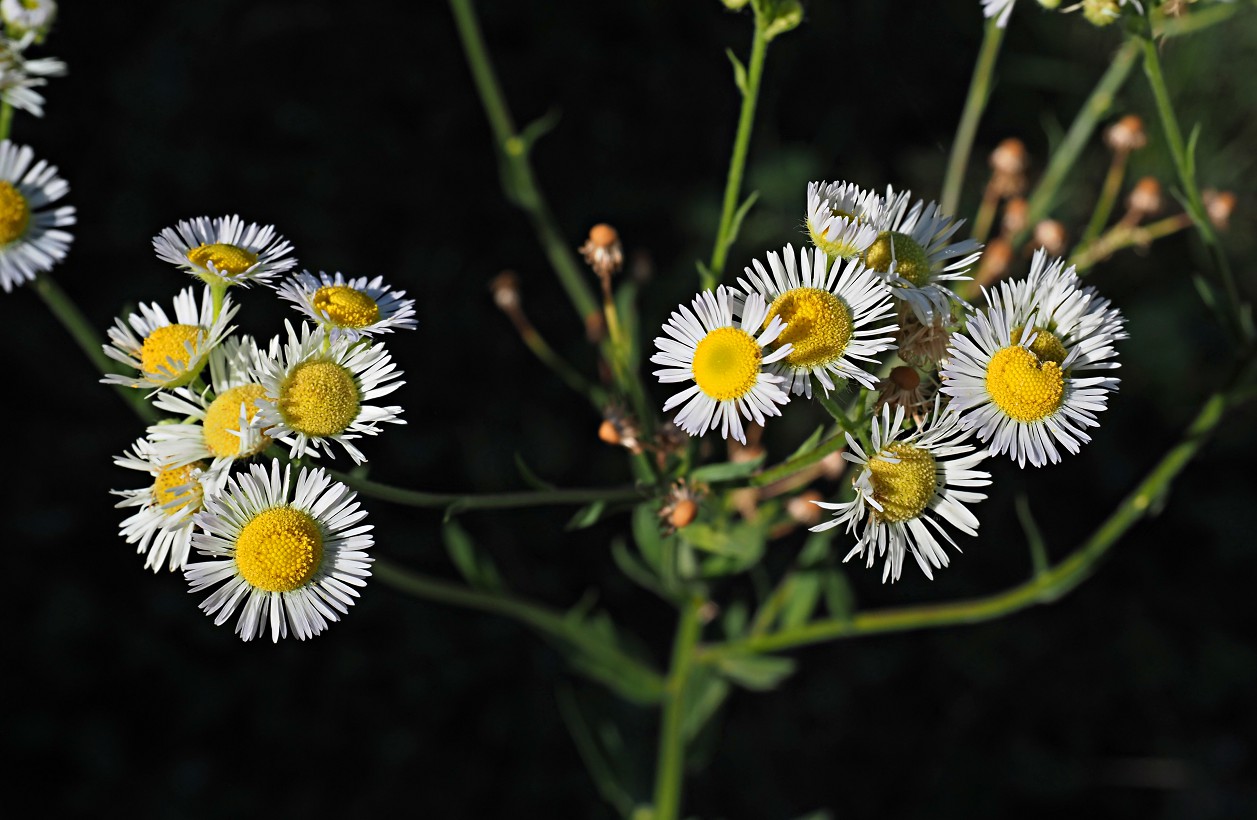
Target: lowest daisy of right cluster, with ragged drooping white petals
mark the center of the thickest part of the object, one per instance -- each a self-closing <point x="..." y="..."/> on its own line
<point x="908" y="486"/>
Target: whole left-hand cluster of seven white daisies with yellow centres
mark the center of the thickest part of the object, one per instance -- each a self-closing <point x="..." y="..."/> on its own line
<point x="280" y="540"/>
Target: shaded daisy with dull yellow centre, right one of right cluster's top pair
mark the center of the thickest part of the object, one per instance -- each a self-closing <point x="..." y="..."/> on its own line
<point x="914" y="252"/>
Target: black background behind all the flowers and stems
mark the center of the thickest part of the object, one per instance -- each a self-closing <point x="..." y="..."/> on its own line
<point x="355" y="129"/>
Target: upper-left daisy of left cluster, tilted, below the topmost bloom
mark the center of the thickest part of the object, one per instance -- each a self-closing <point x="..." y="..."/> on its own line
<point x="169" y="354"/>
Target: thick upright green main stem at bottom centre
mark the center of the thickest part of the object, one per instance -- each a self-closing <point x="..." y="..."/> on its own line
<point x="671" y="765"/>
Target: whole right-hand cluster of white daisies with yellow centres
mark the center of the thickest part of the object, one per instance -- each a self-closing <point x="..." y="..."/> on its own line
<point x="1025" y="377"/>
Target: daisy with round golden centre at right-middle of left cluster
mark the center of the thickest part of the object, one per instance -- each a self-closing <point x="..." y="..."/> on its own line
<point x="317" y="392"/>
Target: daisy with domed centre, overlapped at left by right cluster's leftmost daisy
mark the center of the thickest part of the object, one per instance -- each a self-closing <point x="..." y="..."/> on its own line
<point x="835" y="316"/>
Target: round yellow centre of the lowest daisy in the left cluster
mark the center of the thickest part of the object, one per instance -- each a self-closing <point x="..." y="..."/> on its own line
<point x="280" y="550"/>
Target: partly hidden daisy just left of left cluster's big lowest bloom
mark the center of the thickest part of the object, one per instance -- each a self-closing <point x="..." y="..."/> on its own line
<point x="163" y="526"/>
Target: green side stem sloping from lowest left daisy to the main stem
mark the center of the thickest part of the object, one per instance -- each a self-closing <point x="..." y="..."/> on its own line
<point x="551" y="624"/>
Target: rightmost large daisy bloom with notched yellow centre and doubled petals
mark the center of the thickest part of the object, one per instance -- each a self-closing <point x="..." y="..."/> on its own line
<point x="1016" y="373"/>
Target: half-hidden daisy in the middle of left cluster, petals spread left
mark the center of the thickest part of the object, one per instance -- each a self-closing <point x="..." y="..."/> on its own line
<point x="223" y="424"/>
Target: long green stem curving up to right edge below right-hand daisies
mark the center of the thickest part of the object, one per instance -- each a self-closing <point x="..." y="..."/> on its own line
<point x="1046" y="587"/>
